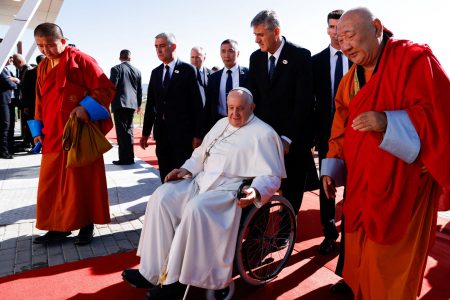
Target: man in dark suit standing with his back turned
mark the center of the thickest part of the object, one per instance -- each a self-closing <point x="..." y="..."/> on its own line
<point x="127" y="100"/>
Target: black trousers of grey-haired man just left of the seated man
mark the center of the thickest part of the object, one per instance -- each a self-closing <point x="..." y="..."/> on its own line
<point x="172" y="152"/>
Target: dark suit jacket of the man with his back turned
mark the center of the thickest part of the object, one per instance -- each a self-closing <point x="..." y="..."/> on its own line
<point x="127" y="80"/>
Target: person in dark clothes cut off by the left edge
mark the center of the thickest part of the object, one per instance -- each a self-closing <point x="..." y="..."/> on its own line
<point x="7" y="84"/>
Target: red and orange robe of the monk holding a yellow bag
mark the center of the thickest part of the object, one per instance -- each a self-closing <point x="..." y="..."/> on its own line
<point x="69" y="198"/>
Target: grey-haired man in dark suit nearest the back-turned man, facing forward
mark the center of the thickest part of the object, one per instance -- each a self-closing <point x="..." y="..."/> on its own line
<point x="174" y="108"/>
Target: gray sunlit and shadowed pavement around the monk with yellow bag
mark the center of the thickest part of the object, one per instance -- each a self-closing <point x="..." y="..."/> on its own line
<point x="129" y="188"/>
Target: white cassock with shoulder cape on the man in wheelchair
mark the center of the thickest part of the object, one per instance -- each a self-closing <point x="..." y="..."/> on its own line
<point x="191" y="225"/>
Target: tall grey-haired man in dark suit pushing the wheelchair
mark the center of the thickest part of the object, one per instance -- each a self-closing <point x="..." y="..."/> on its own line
<point x="280" y="78"/>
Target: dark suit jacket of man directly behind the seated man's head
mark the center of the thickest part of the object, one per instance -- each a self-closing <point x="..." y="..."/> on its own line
<point x="211" y="115"/>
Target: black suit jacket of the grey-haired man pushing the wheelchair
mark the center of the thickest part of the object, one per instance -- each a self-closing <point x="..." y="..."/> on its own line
<point x="286" y="102"/>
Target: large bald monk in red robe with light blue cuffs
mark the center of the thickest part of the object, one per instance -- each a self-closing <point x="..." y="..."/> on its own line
<point x="390" y="137"/>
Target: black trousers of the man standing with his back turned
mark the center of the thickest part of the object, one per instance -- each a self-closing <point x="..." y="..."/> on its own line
<point x="123" y="120"/>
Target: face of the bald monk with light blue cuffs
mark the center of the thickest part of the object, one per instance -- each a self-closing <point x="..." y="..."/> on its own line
<point x="359" y="39"/>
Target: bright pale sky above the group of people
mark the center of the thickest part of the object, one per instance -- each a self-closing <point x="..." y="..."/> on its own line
<point x="102" y="28"/>
